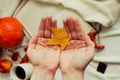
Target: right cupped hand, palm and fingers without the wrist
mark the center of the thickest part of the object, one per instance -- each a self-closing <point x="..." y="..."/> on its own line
<point x="80" y="51"/>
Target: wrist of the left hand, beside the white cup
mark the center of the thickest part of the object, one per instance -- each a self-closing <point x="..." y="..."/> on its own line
<point x="41" y="74"/>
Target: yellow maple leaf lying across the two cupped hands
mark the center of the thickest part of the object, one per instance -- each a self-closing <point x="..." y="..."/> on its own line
<point x="60" y="37"/>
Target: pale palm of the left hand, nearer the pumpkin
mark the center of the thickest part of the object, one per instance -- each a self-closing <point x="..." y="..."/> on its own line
<point x="43" y="55"/>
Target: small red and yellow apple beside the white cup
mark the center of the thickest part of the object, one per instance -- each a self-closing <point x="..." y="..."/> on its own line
<point x="5" y="65"/>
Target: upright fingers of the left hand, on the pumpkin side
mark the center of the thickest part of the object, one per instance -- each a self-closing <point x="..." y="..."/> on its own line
<point x="44" y="28"/>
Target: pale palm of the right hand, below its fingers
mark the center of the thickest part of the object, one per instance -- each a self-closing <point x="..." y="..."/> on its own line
<point x="77" y="58"/>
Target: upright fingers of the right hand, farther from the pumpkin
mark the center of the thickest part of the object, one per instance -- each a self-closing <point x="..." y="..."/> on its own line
<point x="74" y="29"/>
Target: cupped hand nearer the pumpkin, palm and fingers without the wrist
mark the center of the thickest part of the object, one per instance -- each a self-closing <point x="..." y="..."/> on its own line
<point x="40" y="54"/>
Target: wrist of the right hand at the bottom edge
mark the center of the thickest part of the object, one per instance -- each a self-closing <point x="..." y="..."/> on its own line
<point x="73" y="75"/>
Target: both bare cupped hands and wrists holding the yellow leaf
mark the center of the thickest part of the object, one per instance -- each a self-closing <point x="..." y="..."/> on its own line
<point x="72" y="61"/>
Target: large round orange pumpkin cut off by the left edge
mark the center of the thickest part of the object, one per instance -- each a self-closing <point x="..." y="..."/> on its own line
<point x="11" y="32"/>
